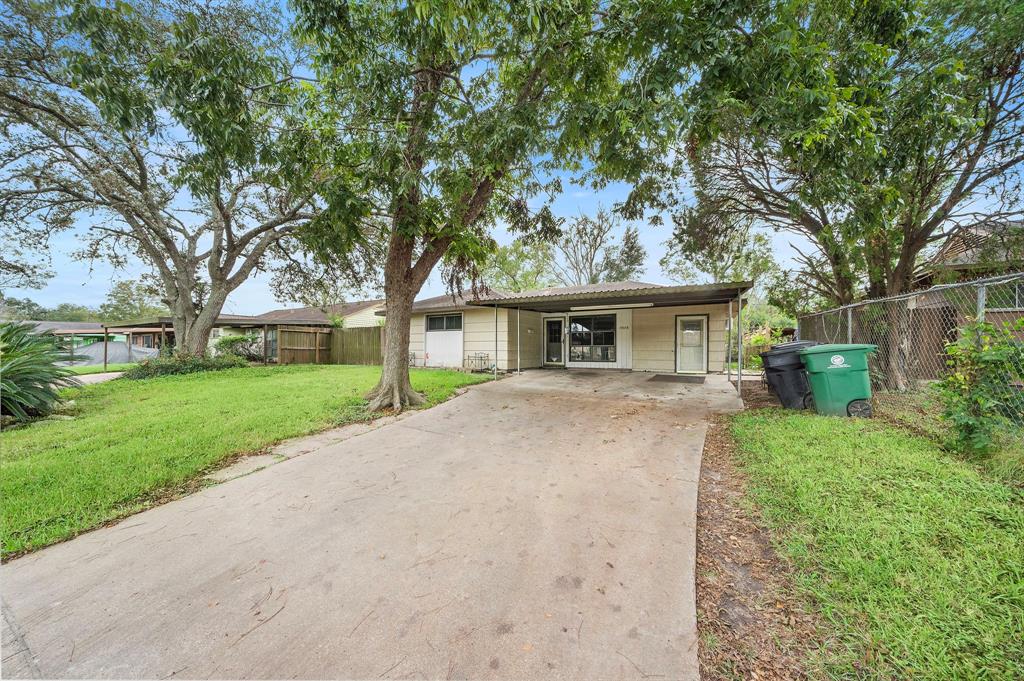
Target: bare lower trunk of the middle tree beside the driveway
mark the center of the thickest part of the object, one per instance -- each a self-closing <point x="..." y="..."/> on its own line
<point x="395" y="390"/>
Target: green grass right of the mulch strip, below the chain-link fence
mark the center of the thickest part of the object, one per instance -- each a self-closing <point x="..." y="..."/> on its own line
<point x="915" y="558"/>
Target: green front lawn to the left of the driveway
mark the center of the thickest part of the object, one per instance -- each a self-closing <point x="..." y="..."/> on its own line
<point x="136" y="442"/>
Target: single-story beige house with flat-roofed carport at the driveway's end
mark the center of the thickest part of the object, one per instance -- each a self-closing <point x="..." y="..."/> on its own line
<point x="617" y="325"/>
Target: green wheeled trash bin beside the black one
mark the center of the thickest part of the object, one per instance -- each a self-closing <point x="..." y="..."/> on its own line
<point x="839" y="378"/>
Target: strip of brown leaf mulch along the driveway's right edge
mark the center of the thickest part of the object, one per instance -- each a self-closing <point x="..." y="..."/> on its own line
<point x="750" y="623"/>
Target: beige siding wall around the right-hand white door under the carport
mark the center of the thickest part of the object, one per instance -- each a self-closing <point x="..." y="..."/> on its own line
<point x="655" y="336"/>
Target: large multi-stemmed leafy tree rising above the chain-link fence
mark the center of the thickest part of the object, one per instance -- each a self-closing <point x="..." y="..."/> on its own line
<point x="870" y="131"/>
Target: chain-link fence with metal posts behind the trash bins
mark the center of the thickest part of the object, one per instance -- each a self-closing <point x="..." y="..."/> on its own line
<point x="912" y="332"/>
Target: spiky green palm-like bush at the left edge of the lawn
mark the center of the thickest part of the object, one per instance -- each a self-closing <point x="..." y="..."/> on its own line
<point x="30" y="378"/>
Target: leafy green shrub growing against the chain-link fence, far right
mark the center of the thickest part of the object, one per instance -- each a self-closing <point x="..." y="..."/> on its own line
<point x="980" y="394"/>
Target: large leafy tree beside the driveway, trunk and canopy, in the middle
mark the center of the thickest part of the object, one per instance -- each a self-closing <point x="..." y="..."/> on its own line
<point x="448" y="113"/>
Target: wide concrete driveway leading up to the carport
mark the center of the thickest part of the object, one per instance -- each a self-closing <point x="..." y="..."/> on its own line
<point x="541" y="527"/>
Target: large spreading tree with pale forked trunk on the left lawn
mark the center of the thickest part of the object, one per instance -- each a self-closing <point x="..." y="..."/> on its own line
<point x="156" y="131"/>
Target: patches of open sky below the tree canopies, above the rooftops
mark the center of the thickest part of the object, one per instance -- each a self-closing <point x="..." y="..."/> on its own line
<point x="88" y="284"/>
